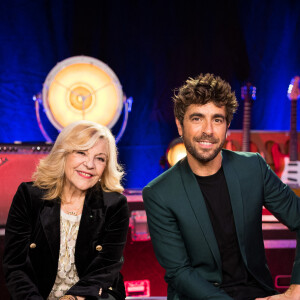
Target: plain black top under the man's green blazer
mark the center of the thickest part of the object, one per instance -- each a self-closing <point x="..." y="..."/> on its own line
<point x="237" y="281"/>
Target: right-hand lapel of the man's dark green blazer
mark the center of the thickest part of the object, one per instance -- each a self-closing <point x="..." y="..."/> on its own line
<point x="236" y="201"/>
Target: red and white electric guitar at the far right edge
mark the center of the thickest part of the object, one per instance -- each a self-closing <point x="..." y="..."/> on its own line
<point x="287" y="167"/>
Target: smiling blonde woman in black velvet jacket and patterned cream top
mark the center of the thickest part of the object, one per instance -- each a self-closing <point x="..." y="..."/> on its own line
<point x="67" y="229"/>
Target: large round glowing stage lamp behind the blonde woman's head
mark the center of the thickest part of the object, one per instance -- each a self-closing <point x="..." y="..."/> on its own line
<point x="82" y="88"/>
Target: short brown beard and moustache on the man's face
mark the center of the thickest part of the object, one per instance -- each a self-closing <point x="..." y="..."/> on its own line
<point x="201" y="157"/>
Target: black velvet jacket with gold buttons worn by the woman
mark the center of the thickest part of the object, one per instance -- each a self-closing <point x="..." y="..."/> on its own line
<point x="32" y="241"/>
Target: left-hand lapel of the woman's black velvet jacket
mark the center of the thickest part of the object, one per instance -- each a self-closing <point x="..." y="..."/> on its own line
<point x="50" y="220"/>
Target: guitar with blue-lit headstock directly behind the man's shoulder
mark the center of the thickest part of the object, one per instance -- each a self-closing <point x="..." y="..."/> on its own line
<point x="248" y="94"/>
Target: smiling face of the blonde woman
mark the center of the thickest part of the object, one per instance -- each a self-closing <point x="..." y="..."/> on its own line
<point x="84" y="168"/>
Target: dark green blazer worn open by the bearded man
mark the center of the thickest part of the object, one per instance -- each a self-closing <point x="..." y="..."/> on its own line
<point x="182" y="234"/>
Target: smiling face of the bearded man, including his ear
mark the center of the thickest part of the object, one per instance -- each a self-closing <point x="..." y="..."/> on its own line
<point x="203" y="131"/>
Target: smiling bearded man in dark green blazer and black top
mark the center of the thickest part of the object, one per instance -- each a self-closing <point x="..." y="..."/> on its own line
<point x="205" y="213"/>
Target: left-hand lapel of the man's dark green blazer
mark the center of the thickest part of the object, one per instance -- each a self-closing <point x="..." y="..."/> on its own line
<point x="195" y="197"/>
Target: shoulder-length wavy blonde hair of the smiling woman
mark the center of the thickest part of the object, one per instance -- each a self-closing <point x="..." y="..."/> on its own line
<point x="81" y="135"/>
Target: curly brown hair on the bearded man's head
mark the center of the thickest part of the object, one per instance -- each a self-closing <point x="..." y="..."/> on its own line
<point x="201" y="90"/>
